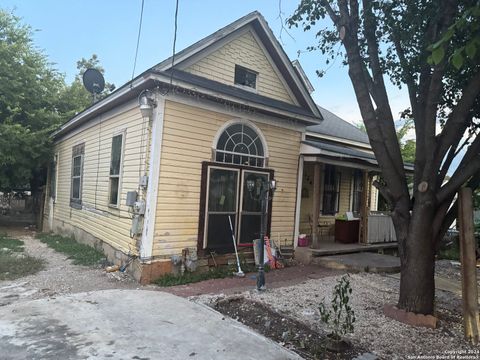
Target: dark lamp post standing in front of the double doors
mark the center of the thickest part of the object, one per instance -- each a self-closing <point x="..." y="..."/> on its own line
<point x="262" y="190"/>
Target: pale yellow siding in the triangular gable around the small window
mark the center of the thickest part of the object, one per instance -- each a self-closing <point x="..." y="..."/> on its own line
<point x="244" y="51"/>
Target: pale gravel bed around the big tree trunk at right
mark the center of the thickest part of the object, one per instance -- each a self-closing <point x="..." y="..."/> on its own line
<point x="384" y="337"/>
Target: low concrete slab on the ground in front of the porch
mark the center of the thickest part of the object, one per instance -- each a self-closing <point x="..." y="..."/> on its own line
<point x="359" y="262"/>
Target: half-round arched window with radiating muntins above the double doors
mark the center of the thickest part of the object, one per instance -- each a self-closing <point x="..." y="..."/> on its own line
<point x="240" y="144"/>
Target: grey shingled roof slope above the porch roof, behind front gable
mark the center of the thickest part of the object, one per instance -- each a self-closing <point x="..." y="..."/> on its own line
<point x="332" y="125"/>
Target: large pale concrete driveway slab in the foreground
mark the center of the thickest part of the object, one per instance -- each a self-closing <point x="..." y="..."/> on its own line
<point x="127" y="324"/>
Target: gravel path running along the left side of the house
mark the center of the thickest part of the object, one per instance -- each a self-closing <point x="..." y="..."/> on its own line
<point x="60" y="275"/>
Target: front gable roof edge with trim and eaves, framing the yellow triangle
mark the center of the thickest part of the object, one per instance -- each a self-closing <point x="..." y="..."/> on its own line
<point x="307" y="112"/>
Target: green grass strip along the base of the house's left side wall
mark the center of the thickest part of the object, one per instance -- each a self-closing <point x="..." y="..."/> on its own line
<point x="81" y="254"/>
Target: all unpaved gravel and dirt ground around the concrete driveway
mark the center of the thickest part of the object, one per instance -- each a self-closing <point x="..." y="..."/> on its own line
<point x="287" y="312"/>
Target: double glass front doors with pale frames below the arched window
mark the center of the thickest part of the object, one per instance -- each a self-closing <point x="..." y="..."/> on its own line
<point x="227" y="199"/>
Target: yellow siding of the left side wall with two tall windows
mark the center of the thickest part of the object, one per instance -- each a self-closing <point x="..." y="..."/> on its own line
<point x="111" y="225"/>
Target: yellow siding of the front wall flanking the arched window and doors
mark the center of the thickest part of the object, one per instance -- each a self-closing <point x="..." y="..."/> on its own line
<point x="187" y="141"/>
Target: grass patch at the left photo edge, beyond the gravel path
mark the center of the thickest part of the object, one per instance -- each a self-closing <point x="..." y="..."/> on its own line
<point x="13" y="263"/>
